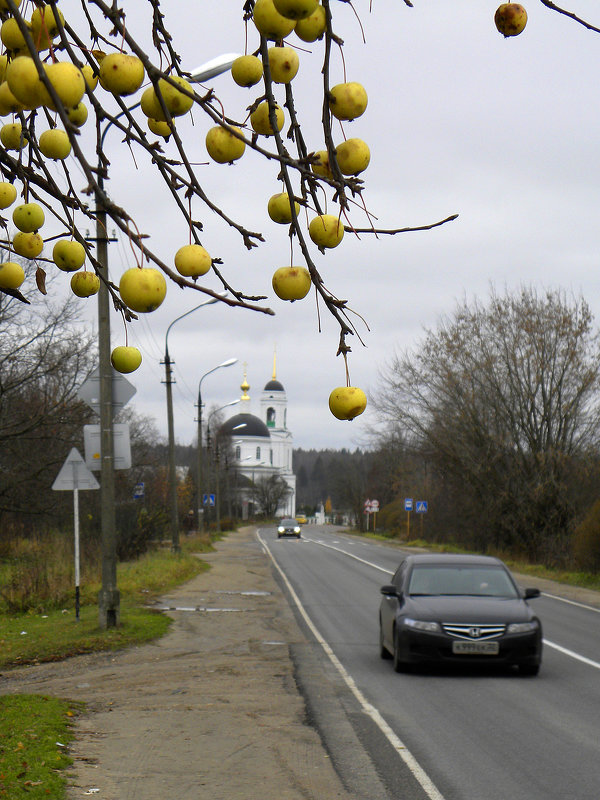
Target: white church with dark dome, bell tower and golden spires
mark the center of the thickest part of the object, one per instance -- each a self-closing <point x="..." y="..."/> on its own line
<point x="262" y="444"/>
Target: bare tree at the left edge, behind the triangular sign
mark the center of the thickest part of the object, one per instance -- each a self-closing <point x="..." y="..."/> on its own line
<point x="43" y="359"/>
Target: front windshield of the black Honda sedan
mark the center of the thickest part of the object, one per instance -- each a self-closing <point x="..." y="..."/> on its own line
<point x="474" y="581"/>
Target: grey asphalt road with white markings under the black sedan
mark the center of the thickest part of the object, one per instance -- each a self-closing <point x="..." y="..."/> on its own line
<point x="472" y="735"/>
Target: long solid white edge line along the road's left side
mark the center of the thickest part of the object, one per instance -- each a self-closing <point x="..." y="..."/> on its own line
<point x="413" y="765"/>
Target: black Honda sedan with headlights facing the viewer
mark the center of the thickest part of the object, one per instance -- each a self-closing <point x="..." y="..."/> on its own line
<point x="458" y="609"/>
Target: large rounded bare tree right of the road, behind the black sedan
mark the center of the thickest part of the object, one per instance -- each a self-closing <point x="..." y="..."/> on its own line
<point x="503" y="401"/>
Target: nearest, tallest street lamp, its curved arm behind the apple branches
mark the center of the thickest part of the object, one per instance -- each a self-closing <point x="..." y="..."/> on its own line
<point x="108" y="597"/>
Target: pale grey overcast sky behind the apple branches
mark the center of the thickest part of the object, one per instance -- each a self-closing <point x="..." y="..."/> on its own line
<point x="503" y="132"/>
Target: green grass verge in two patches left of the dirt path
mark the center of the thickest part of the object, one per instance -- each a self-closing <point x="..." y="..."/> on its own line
<point x="35" y="730"/>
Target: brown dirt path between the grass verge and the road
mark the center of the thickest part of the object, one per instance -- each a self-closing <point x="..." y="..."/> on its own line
<point x="209" y="711"/>
